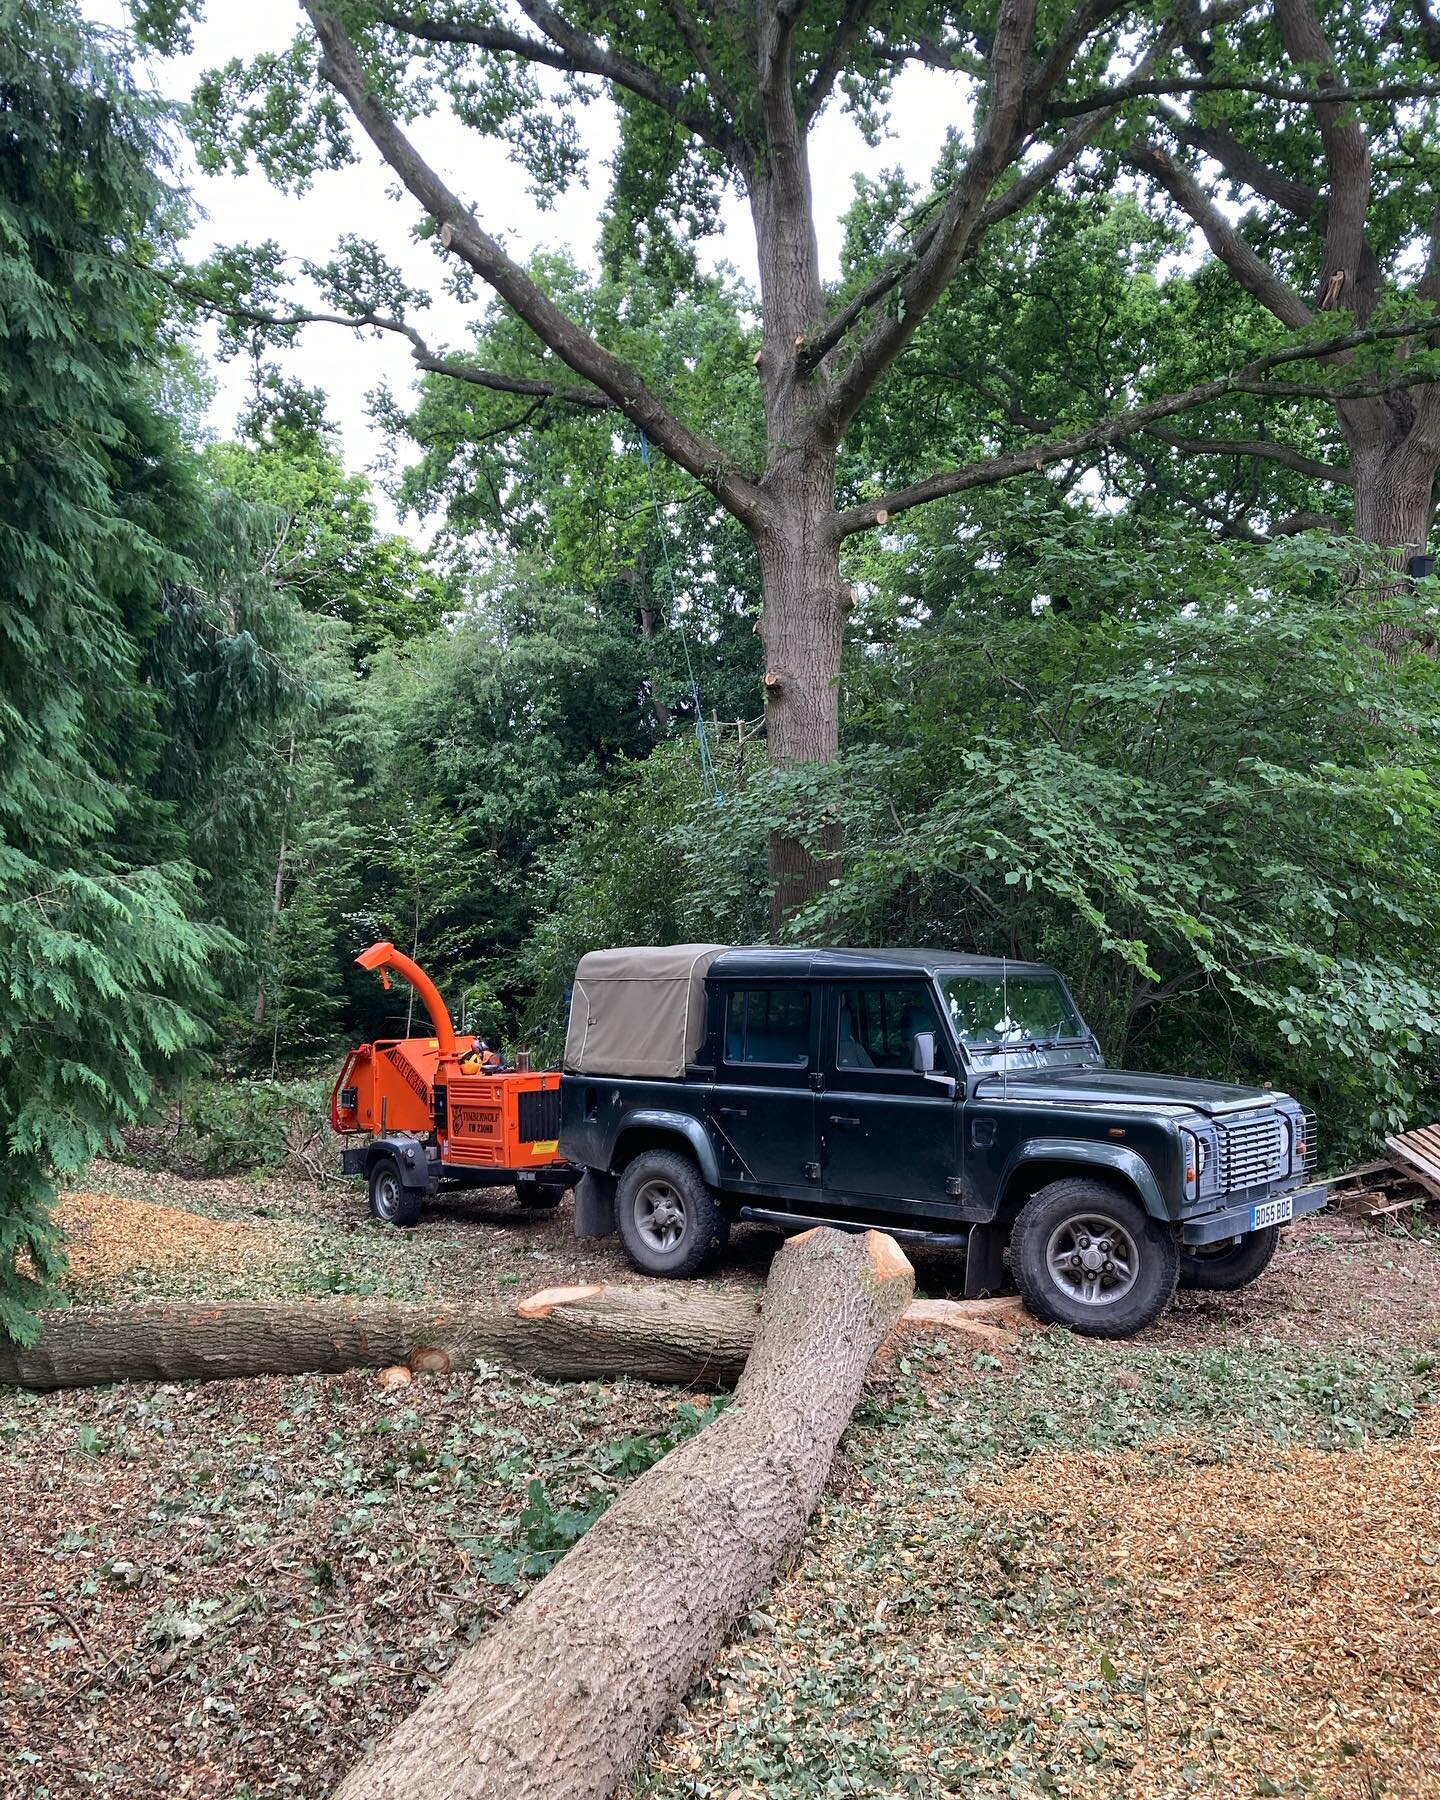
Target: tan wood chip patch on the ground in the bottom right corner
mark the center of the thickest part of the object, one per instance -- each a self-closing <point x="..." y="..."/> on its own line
<point x="1259" y="1621"/>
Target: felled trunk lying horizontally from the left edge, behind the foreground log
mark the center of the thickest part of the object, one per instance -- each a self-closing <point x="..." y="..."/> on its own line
<point x="667" y="1335"/>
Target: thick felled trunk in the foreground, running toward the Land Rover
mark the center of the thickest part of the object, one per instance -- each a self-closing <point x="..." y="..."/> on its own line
<point x="562" y="1696"/>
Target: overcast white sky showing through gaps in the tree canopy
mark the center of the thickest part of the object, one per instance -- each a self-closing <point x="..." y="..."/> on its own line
<point x="357" y="201"/>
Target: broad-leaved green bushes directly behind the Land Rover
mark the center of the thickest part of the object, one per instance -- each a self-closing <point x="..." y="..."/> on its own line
<point x="1180" y="771"/>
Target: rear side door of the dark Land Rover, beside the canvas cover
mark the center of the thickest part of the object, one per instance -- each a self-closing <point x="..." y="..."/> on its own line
<point x="762" y="1108"/>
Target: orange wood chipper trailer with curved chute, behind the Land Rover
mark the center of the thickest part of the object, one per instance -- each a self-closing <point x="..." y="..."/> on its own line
<point x="442" y="1113"/>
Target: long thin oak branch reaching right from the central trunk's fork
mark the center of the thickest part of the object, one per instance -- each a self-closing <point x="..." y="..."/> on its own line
<point x="1254" y="379"/>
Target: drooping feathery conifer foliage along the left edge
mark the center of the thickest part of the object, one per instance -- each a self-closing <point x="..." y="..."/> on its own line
<point x="103" y="969"/>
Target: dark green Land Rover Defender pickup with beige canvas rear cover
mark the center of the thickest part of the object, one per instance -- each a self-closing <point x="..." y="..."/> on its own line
<point x="949" y="1099"/>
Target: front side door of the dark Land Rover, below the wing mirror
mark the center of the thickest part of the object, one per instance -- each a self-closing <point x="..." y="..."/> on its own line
<point x="888" y="1137"/>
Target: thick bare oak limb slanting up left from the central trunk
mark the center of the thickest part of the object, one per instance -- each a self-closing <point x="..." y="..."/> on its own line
<point x="458" y="231"/>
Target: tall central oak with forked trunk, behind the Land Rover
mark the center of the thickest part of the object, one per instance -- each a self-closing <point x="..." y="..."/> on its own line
<point x="737" y="93"/>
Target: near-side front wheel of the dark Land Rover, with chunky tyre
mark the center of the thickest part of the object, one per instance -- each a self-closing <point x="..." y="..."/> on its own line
<point x="1050" y="1228"/>
